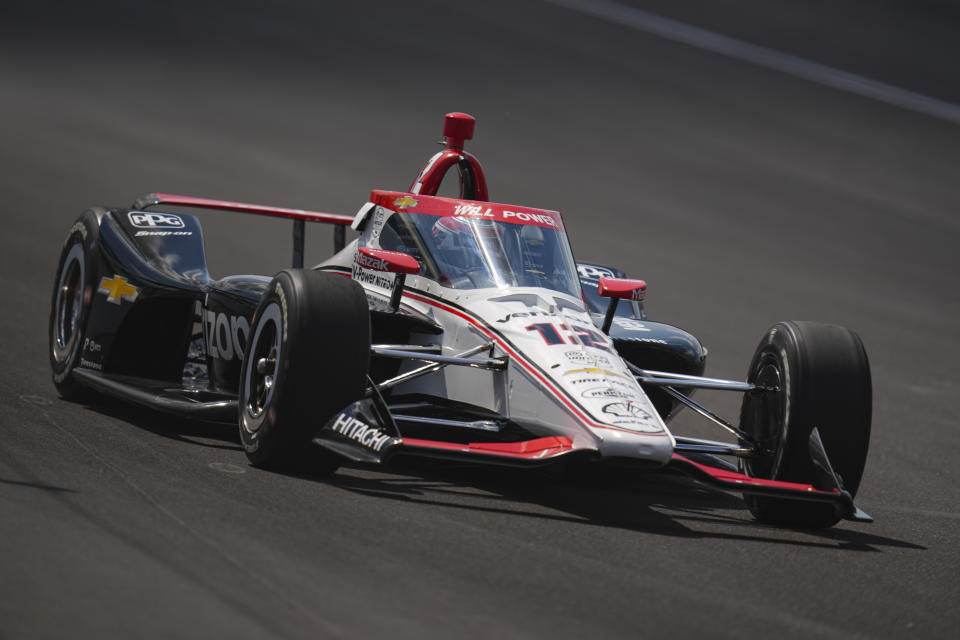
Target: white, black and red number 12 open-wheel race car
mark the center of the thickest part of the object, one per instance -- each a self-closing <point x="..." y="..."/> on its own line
<point x="450" y="327"/>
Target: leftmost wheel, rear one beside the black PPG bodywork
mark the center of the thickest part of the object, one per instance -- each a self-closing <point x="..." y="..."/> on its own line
<point x="73" y="290"/>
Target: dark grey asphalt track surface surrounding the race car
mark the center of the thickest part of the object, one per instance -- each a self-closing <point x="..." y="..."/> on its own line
<point x="743" y="196"/>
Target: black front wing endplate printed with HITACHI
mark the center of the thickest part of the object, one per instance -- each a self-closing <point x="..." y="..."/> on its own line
<point x="362" y="432"/>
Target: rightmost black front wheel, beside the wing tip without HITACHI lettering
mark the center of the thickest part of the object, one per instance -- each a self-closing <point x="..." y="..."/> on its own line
<point x="822" y="378"/>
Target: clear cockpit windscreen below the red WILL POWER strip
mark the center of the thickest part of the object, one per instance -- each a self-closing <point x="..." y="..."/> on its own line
<point x="473" y="253"/>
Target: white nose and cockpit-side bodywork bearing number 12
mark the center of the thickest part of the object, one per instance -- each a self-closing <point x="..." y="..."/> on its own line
<point x="564" y="376"/>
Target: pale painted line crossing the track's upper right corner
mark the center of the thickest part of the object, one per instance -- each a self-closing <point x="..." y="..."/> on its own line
<point x="741" y="50"/>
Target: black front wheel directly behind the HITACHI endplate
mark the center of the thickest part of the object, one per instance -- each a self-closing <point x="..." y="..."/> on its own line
<point x="307" y="358"/>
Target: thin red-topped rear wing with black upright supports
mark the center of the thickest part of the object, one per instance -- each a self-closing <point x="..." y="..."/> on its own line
<point x="299" y="216"/>
